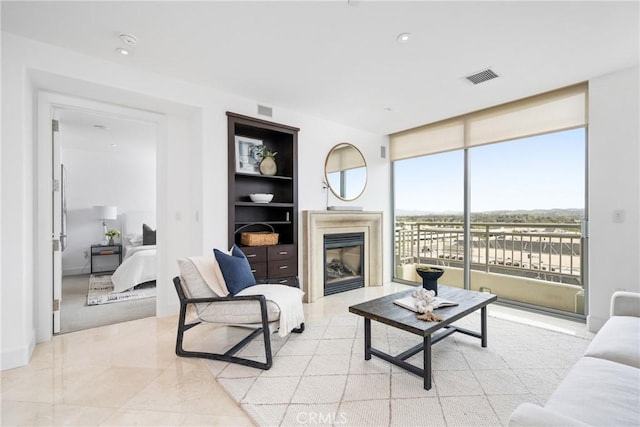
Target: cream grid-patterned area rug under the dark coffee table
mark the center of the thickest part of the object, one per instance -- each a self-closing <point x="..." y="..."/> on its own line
<point x="320" y="377"/>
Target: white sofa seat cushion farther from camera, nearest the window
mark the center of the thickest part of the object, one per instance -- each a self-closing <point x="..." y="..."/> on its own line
<point x="618" y="340"/>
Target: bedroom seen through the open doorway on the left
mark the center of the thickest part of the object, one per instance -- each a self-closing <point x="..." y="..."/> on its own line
<point x="108" y="161"/>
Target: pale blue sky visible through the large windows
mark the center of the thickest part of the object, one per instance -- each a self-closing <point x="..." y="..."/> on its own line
<point x="541" y="172"/>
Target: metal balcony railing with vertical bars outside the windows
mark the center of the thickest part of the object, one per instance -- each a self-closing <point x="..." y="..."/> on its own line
<point x="550" y="252"/>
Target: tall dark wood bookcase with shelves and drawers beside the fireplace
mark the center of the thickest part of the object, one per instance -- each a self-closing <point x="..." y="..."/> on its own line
<point x="276" y="263"/>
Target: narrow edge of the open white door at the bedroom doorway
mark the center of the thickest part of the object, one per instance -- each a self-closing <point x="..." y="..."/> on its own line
<point x="58" y="236"/>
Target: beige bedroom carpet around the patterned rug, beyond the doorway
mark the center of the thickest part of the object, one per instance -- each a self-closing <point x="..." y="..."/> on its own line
<point x="76" y="315"/>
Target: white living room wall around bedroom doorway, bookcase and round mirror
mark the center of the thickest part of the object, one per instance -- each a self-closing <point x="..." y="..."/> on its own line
<point x="191" y="172"/>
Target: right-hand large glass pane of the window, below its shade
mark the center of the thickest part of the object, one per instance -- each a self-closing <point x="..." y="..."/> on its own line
<point x="527" y="207"/>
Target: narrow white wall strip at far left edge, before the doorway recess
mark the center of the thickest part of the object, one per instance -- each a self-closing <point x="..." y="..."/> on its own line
<point x="18" y="337"/>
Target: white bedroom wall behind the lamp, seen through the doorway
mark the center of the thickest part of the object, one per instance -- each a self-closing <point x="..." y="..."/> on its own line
<point x="120" y="178"/>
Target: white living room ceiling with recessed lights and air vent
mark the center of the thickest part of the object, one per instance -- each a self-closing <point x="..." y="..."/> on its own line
<point x="340" y="60"/>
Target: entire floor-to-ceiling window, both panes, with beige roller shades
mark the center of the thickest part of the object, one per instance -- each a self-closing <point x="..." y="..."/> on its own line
<point x="517" y="230"/>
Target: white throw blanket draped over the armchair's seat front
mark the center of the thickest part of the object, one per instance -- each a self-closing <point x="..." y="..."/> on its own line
<point x="287" y="298"/>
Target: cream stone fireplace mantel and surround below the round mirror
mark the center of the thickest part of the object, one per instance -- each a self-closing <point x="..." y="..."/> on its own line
<point x="315" y="224"/>
